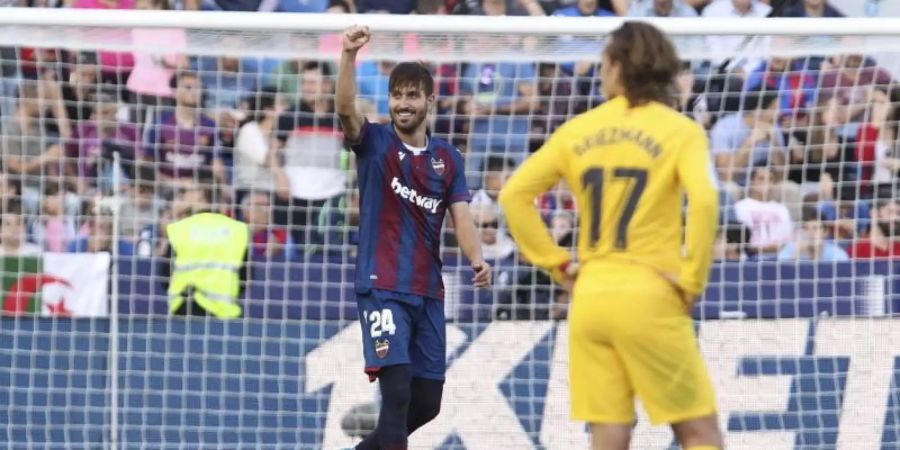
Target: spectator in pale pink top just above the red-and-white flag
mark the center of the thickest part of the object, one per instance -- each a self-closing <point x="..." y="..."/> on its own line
<point x="54" y="228"/>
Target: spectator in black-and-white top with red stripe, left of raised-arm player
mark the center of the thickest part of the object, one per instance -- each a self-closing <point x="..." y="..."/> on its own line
<point x="309" y="136"/>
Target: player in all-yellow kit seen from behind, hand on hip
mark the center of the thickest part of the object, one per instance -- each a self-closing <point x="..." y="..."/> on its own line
<point x="629" y="162"/>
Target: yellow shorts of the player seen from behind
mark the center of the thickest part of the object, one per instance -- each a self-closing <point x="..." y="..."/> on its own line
<point x="629" y="334"/>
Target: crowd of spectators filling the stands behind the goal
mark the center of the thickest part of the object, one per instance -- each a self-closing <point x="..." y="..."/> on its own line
<point x="805" y="148"/>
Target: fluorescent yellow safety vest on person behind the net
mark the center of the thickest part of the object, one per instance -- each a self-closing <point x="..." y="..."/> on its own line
<point x="209" y="251"/>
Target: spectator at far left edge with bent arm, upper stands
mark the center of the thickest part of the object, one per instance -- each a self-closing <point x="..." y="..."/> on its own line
<point x="30" y="151"/>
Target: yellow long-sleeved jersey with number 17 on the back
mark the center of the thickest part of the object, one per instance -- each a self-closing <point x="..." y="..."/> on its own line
<point x="628" y="169"/>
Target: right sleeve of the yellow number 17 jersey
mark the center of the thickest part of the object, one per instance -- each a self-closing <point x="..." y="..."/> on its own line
<point x="696" y="175"/>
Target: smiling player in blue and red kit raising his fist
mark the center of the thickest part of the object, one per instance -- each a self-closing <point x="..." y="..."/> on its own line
<point x="407" y="182"/>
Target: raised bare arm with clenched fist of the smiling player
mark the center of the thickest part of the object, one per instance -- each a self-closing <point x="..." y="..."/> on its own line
<point x="345" y="102"/>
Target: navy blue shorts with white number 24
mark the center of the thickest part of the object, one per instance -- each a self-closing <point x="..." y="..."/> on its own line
<point x="403" y="329"/>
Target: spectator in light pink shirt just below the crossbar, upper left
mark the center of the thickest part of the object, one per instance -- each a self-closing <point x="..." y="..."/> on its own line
<point x="149" y="81"/>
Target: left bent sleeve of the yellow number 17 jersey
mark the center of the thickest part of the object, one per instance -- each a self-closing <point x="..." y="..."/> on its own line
<point x="535" y="176"/>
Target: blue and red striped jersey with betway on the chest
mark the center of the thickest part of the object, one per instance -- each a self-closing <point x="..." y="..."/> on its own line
<point x="403" y="197"/>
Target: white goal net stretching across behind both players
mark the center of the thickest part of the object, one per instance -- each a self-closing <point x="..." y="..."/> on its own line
<point x="114" y="124"/>
